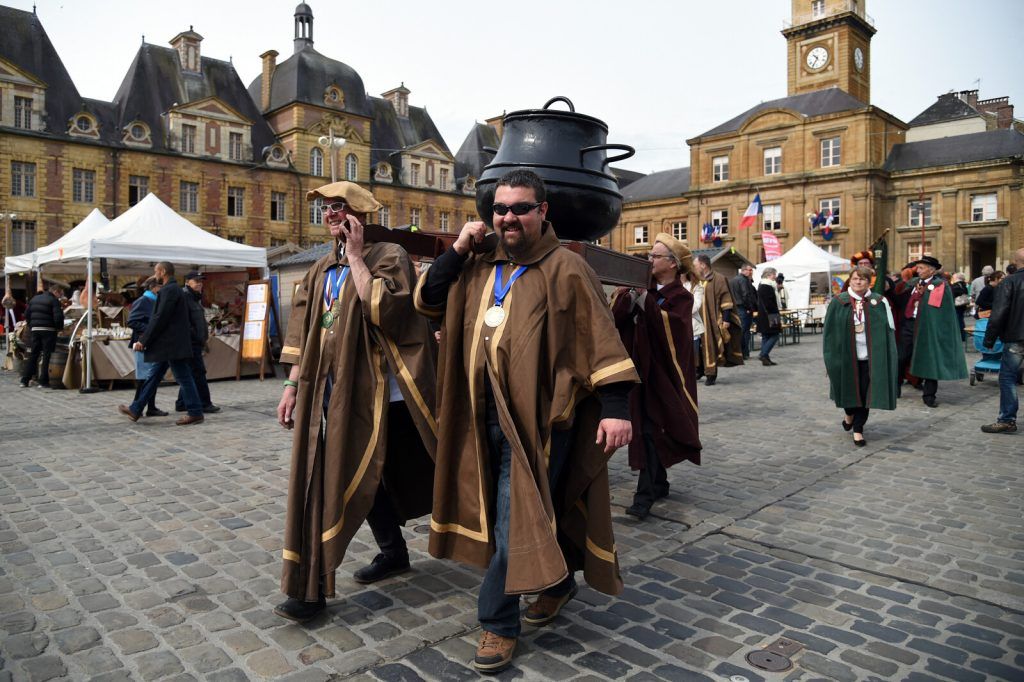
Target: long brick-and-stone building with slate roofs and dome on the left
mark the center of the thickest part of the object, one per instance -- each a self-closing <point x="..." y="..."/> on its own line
<point x="236" y="161"/>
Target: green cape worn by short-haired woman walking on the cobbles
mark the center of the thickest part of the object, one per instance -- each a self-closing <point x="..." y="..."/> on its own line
<point x="840" y="351"/>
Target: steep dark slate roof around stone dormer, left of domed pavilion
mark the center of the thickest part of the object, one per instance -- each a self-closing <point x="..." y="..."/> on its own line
<point x="155" y="83"/>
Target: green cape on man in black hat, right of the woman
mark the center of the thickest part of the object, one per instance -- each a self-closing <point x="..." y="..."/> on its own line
<point x="938" y="348"/>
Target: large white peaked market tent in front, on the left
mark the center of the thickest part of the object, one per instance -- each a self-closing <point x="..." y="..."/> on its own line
<point x="147" y="233"/>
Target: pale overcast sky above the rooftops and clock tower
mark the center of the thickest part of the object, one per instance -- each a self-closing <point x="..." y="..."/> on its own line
<point x="658" y="72"/>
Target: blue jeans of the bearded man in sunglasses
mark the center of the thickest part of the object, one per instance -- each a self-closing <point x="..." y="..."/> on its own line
<point x="497" y="612"/>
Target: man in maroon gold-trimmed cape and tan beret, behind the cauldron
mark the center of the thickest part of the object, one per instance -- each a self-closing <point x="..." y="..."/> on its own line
<point x="657" y="328"/>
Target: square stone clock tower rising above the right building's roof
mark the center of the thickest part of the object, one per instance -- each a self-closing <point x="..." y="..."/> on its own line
<point x="830" y="44"/>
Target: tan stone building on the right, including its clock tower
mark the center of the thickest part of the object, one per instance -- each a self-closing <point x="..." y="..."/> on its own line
<point x="959" y="167"/>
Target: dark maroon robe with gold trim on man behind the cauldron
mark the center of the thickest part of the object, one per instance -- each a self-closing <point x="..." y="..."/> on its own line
<point x="660" y="339"/>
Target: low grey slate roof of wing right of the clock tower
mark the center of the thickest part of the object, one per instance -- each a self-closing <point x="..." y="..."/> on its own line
<point x="989" y="146"/>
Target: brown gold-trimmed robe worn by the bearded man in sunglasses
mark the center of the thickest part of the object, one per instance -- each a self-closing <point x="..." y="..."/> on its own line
<point x="557" y="346"/>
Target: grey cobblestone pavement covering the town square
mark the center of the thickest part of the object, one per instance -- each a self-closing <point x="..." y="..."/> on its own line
<point x="148" y="551"/>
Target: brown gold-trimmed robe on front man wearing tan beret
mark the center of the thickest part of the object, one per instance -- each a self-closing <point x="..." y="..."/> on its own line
<point x="338" y="461"/>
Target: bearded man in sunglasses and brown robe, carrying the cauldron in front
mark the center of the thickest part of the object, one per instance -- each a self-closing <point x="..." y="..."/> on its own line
<point x="532" y="402"/>
